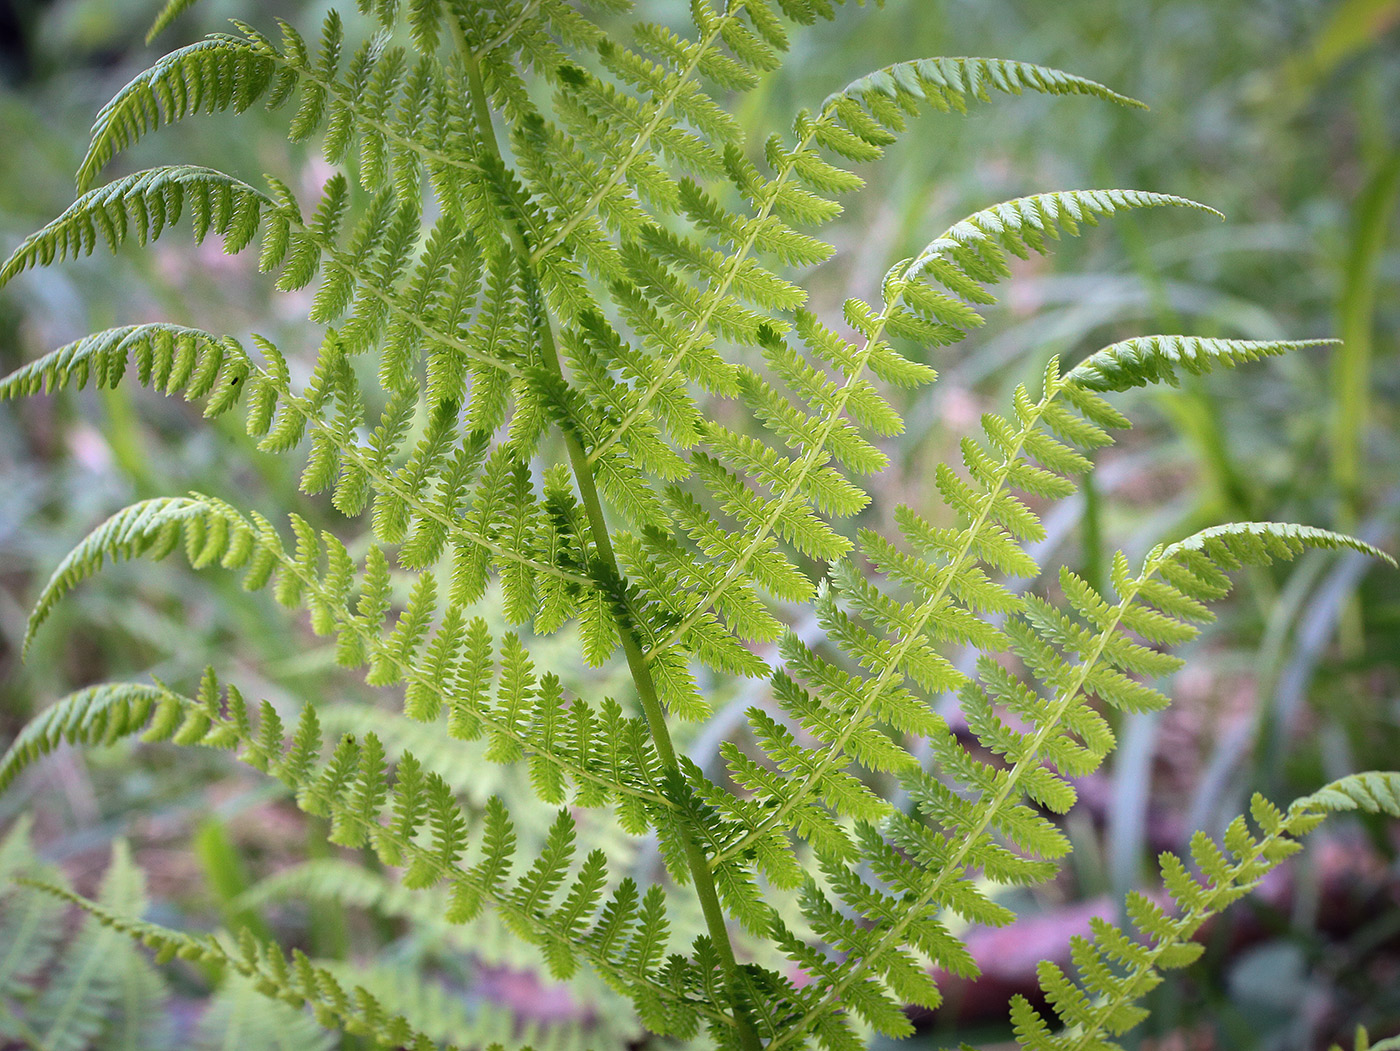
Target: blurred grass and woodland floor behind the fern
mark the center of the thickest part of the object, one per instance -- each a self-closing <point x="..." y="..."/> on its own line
<point x="1283" y="114"/>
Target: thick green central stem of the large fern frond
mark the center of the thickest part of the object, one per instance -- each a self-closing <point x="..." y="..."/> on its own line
<point x="608" y="563"/>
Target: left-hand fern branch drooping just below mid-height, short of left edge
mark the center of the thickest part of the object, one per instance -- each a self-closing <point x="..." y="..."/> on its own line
<point x="604" y="754"/>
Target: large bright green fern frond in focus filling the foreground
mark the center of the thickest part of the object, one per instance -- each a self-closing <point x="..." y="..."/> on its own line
<point x="558" y="257"/>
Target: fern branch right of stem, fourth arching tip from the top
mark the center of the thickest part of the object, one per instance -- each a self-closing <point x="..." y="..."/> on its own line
<point x="1066" y="657"/>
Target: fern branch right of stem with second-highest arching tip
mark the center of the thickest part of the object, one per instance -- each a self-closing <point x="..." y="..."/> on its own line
<point x="960" y="261"/>
